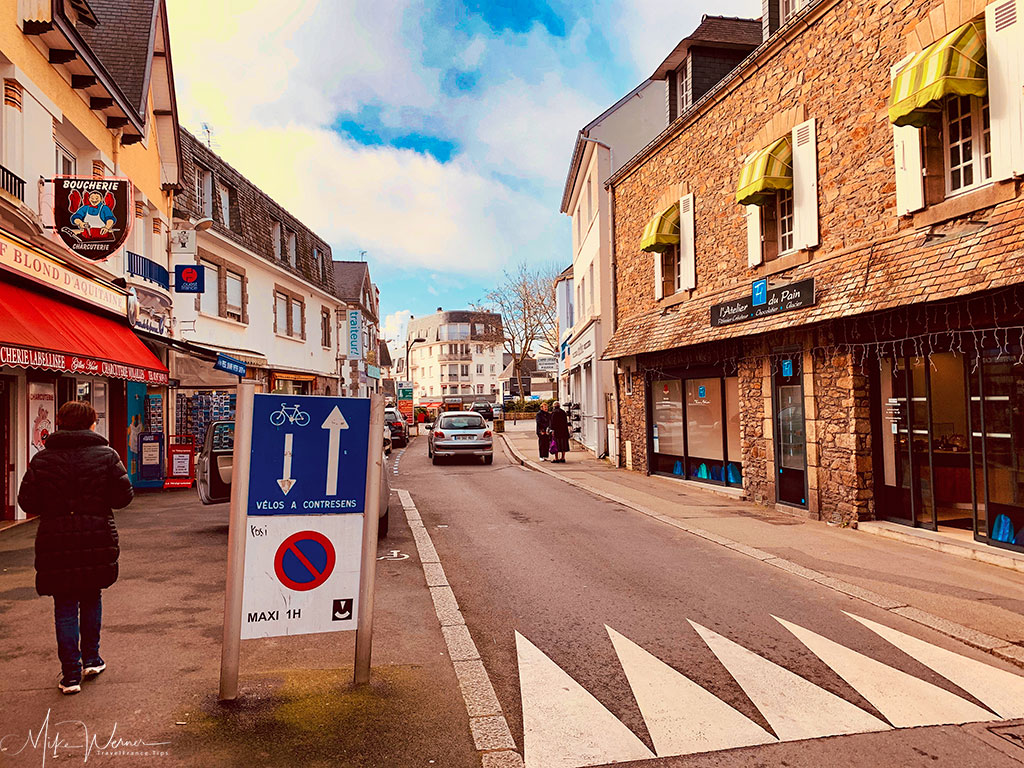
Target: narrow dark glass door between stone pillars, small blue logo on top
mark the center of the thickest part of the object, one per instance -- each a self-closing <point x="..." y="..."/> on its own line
<point x="791" y="437"/>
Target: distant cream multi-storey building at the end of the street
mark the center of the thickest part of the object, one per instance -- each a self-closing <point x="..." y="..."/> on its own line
<point x="460" y="355"/>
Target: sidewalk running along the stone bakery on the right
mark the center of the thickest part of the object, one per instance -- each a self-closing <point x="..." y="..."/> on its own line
<point x="976" y="603"/>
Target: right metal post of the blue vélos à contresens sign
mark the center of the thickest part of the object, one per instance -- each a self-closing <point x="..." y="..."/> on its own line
<point x="368" y="570"/>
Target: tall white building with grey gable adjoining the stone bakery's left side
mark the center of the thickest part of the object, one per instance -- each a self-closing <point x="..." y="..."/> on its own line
<point x="602" y="148"/>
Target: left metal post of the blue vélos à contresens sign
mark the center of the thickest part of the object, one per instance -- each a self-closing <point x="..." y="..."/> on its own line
<point x="237" y="543"/>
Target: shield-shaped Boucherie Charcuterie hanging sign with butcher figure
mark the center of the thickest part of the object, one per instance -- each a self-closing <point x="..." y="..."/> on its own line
<point x="92" y="216"/>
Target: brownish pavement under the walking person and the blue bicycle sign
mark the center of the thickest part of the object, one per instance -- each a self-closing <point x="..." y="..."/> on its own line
<point x="161" y="639"/>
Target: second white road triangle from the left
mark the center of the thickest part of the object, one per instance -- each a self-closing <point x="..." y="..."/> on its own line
<point x="681" y="716"/>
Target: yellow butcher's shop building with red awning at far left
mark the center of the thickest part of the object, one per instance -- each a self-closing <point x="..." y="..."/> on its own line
<point x="89" y="104"/>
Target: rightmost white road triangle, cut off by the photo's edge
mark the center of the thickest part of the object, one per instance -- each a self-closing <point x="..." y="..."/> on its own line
<point x="1002" y="692"/>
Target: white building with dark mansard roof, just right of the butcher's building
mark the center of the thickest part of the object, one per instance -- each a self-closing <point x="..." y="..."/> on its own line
<point x="269" y="302"/>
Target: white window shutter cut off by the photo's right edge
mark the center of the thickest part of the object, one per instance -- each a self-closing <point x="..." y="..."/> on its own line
<point x="1005" y="42"/>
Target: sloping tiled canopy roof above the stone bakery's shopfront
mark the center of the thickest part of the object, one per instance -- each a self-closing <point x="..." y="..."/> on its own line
<point x="872" y="277"/>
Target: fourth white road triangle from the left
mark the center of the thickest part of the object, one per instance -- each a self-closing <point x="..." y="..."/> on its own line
<point x="906" y="701"/>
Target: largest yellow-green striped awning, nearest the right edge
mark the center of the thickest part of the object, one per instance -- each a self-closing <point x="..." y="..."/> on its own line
<point x="953" y="66"/>
